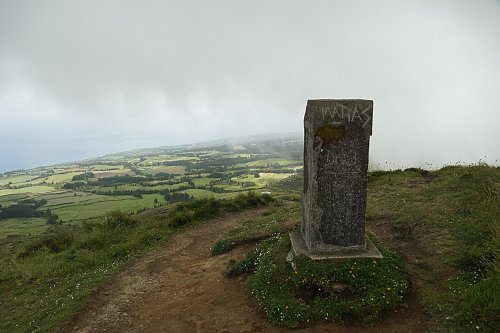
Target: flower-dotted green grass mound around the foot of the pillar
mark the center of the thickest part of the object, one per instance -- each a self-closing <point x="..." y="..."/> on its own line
<point x="349" y="291"/>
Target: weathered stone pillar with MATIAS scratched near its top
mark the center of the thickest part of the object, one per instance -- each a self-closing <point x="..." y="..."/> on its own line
<point x="336" y="141"/>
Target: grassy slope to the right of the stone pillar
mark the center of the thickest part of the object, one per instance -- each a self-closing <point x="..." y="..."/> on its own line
<point x="453" y="214"/>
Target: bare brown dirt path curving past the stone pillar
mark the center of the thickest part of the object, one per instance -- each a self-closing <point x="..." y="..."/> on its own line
<point x="181" y="288"/>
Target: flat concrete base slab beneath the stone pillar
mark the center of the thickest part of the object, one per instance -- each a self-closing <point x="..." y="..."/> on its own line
<point x="332" y="252"/>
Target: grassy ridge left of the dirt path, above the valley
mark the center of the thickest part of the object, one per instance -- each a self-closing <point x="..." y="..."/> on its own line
<point x="48" y="279"/>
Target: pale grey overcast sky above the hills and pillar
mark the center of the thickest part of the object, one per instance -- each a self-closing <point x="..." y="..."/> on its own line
<point x="84" y="78"/>
